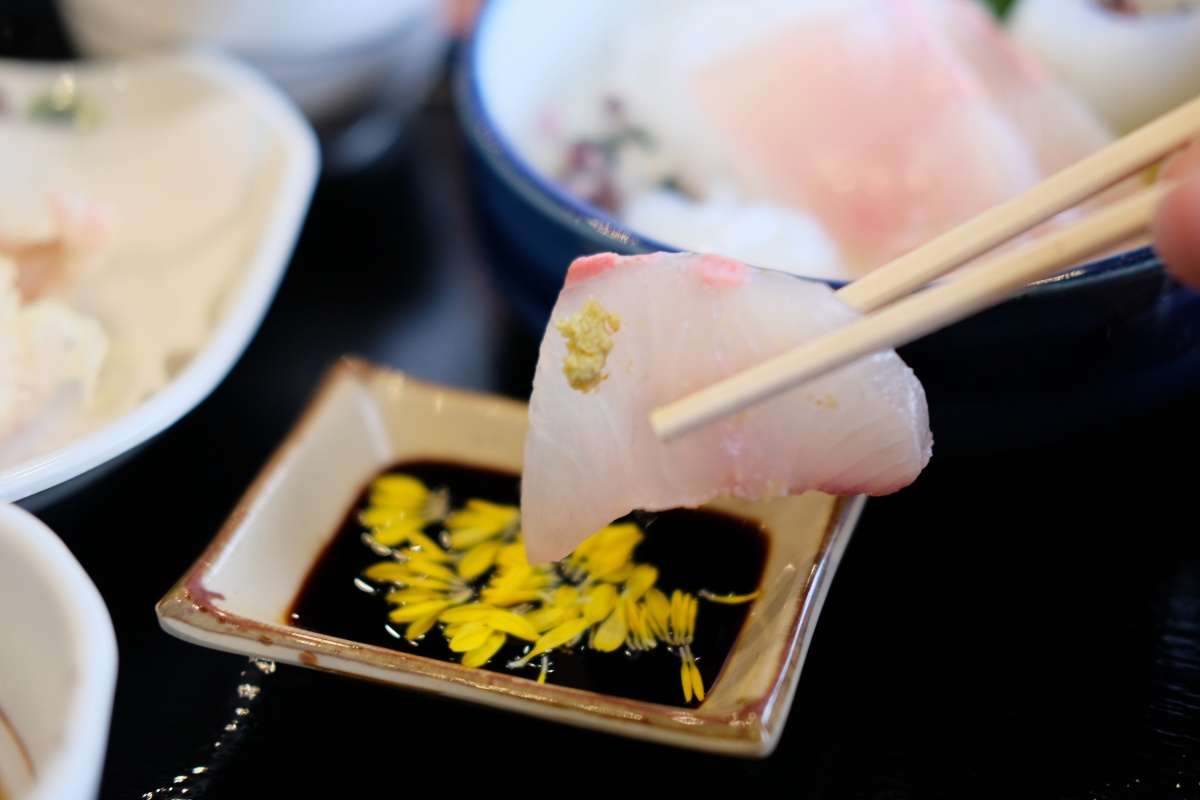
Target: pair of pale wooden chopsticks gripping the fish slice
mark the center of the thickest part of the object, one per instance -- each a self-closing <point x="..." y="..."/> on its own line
<point x="905" y="317"/>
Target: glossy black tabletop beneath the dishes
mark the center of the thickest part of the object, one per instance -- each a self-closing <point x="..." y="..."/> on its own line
<point x="1019" y="624"/>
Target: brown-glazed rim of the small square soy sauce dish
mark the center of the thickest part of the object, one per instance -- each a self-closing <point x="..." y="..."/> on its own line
<point x="752" y="729"/>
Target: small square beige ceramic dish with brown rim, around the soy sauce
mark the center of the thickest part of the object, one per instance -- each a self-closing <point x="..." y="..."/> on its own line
<point x="365" y="419"/>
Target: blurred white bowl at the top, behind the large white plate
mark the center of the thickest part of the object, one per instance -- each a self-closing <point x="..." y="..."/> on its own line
<point x="358" y="69"/>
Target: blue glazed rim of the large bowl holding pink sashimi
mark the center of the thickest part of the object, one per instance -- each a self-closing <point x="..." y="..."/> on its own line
<point x="605" y="230"/>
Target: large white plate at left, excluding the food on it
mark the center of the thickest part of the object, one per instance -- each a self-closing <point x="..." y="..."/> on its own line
<point x="202" y="172"/>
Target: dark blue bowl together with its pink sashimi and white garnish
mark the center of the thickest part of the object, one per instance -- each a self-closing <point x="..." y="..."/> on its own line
<point x="599" y="128"/>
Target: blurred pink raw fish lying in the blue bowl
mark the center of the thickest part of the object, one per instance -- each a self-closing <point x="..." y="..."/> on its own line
<point x="871" y="117"/>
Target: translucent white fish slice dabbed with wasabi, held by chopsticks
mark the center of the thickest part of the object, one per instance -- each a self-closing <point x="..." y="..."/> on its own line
<point x="687" y="321"/>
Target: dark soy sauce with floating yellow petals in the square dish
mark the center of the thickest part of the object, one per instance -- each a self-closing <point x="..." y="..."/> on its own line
<point x="701" y="561"/>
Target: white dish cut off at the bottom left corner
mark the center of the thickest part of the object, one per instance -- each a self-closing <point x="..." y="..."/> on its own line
<point x="58" y="666"/>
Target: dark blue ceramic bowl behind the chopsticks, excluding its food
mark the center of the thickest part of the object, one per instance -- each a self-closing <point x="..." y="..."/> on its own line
<point x="1114" y="340"/>
